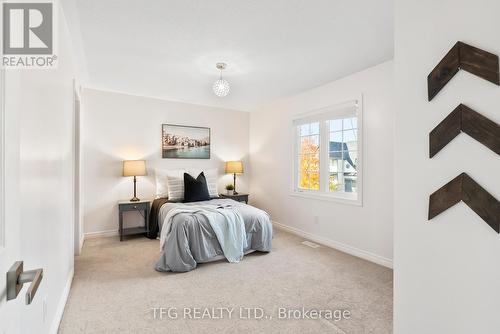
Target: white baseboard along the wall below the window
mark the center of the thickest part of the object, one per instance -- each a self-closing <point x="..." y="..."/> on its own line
<point x="383" y="261"/>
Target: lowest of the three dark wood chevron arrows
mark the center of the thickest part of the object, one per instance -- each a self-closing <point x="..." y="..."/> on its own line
<point x="464" y="188"/>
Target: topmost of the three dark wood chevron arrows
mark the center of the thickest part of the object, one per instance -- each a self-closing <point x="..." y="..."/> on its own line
<point x="465" y="57"/>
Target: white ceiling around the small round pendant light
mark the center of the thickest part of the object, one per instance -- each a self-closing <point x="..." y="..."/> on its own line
<point x="273" y="48"/>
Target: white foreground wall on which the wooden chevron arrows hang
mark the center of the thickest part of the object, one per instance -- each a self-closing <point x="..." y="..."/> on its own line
<point x="447" y="271"/>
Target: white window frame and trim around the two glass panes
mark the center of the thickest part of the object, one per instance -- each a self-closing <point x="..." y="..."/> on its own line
<point x="336" y="111"/>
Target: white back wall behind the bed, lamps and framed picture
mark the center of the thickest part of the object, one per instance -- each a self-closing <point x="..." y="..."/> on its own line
<point x="118" y="127"/>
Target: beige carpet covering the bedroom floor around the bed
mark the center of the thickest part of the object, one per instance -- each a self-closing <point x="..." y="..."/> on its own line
<point x="116" y="288"/>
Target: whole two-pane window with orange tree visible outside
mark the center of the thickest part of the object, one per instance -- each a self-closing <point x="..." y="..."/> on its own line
<point x="327" y="153"/>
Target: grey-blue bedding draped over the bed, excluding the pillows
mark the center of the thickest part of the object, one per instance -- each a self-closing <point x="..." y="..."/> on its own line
<point x="188" y="238"/>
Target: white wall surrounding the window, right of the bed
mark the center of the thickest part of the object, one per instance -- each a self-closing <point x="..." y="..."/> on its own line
<point x="365" y="231"/>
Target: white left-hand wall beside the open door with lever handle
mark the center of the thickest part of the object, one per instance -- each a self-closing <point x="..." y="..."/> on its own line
<point x="45" y="109"/>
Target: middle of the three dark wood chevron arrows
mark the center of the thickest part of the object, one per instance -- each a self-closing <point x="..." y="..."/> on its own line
<point x="464" y="119"/>
